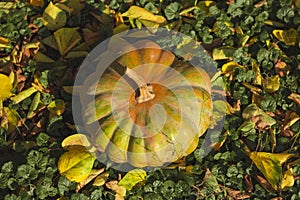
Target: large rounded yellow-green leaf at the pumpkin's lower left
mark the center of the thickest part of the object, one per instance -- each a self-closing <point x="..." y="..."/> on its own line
<point x="76" y="164"/>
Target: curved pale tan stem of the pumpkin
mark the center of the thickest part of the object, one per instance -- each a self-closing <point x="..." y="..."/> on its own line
<point x="145" y="89"/>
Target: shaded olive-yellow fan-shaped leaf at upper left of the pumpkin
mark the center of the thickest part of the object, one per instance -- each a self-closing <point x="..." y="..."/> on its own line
<point x="66" y="39"/>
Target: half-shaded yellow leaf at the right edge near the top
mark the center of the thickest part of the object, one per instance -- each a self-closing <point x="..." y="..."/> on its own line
<point x="289" y="37"/>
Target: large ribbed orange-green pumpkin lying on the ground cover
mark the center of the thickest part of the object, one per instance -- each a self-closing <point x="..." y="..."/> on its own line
<point x="149" y="107"/>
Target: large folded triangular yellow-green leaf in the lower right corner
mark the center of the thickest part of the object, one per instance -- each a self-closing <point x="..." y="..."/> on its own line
<point x="270" y="165"/>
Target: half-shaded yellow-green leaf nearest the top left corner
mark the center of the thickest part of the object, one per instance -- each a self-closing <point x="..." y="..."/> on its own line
<point x="54" y="17"/>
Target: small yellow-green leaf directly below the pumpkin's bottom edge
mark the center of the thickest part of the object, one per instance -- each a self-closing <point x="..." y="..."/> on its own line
<point x="132" y="178"/>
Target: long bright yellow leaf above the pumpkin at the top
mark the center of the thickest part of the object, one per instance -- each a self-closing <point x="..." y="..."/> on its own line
<point x="144" y="15"/>
